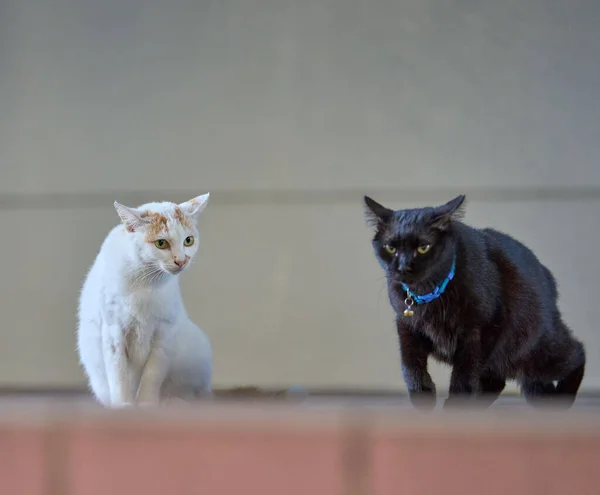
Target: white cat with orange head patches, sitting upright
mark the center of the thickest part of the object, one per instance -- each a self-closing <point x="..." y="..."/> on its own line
<point x="136" y="342"/>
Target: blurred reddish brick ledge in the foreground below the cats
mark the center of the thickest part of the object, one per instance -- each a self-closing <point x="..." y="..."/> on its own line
<point x="327" y="446"/>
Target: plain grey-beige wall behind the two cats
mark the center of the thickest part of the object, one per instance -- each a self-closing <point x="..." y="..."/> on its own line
<point x="288" y="111"/>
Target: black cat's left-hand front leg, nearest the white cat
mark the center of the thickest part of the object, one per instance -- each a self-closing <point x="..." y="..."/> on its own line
<point x="414" y="351"/>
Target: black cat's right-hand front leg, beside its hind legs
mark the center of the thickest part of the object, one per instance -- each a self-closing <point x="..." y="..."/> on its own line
<point x="465" y="377"/>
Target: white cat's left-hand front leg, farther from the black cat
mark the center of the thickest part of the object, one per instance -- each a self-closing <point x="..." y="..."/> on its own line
<point x="118" y="373"/>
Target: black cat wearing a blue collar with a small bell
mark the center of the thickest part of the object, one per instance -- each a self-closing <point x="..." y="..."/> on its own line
<point x="478" y="300"/>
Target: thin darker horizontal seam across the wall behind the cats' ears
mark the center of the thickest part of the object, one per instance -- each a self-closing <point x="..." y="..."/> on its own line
<point x="266" y="197"/>
